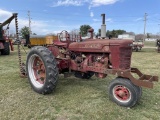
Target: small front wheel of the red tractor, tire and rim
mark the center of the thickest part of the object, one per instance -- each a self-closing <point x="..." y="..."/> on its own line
<point x="123" y="92"/>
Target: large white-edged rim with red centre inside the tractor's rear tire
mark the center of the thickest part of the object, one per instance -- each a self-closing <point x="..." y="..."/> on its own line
<point x="37" y="72"/>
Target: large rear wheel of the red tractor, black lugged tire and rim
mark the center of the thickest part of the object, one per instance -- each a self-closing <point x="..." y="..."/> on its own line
<point x="42" y="70"/>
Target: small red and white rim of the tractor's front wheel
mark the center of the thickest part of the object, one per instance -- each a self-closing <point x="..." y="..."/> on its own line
<point x="122" y="93"/>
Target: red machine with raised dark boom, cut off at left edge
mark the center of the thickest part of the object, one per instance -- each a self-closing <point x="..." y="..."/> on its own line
<point x="5" y="42"/>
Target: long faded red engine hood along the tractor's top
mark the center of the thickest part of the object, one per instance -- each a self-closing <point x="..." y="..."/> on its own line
<point x="97" y="45"/>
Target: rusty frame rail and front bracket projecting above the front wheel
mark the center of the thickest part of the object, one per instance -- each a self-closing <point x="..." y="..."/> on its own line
<point x="143" y="80"/>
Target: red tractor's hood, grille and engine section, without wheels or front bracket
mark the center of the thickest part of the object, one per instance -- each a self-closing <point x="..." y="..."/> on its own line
<point x="115" y="52"/>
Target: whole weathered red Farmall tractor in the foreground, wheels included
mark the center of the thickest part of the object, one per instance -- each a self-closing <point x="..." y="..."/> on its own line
<point x="70" y="55"/>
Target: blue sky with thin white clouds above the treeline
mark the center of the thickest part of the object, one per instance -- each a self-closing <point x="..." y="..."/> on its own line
<point x="53" y="16"/>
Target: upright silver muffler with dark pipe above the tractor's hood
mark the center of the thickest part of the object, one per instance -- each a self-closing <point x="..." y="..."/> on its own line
<point x="103" y="27"/>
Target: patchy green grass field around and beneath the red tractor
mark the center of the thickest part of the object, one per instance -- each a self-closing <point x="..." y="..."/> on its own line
<point x="75" y="99"/>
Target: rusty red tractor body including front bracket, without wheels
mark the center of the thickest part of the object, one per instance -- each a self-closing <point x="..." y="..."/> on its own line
<point x="99" y="56"/>
